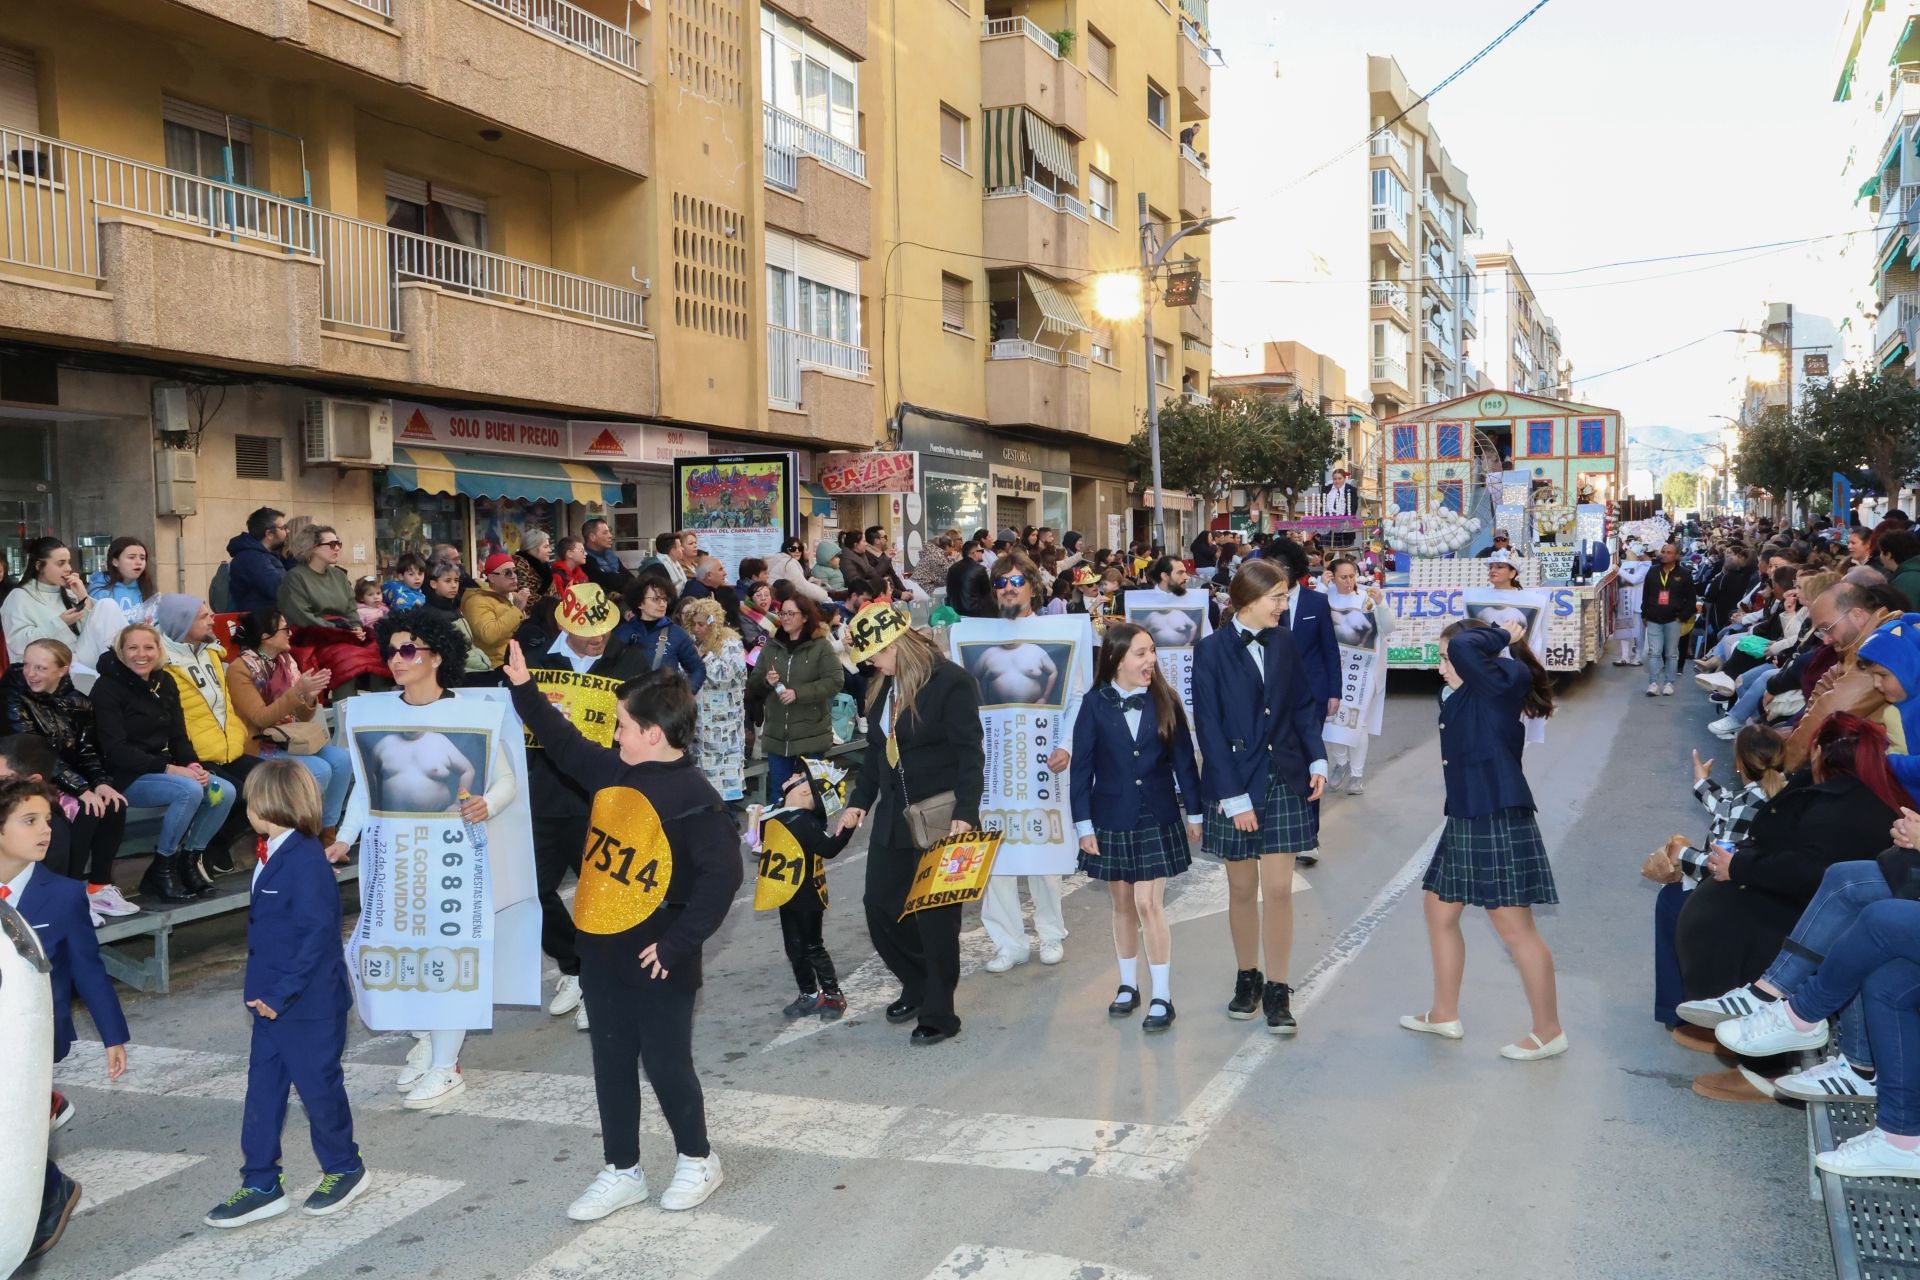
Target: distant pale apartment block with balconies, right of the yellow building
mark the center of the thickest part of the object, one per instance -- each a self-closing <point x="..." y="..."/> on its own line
<point x="1424" y="281"/>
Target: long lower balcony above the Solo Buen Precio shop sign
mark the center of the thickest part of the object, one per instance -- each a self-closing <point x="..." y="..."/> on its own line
<point x="114" y="252"/>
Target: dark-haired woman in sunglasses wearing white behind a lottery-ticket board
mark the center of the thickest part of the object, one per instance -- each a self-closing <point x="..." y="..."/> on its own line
<point x="427" y="657"/>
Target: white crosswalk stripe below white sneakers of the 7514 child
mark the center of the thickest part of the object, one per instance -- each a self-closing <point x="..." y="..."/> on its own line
<point x="650" y="1244"/>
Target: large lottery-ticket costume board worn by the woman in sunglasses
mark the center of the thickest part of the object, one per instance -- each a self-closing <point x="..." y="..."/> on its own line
<point x="450" y="918"/>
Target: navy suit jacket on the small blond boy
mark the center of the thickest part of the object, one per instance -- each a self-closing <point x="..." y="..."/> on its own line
<point x="295" y="960"/>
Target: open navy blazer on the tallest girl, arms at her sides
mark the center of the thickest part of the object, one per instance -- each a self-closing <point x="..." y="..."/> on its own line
<point x="1247" y="723"/>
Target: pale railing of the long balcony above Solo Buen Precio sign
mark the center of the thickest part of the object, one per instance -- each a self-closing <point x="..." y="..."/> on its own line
<point x="53" y="197"/>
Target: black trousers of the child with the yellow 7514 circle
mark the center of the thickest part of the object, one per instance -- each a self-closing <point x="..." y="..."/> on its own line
<point x="636" y="1028"/>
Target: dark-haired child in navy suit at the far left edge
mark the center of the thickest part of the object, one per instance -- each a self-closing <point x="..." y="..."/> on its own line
<point x="57" y="911"/>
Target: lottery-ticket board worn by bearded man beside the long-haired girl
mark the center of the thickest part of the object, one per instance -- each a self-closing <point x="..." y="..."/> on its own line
<point x="1030" y="675"/>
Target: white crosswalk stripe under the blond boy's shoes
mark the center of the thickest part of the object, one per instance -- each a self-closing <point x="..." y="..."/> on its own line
<point x="295" y="1244"/>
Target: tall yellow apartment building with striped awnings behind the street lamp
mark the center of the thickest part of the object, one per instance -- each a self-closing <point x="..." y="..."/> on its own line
<point x="1022" y="141"/>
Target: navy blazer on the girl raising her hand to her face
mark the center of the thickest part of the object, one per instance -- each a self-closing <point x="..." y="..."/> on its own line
<point x="1481" y="732"/>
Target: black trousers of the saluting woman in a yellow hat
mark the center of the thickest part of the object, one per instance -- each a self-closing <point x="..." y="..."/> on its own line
<point x="924" y="949"/>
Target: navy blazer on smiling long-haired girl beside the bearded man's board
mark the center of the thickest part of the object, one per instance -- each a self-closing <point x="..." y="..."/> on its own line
<point x="1128" y="780"/>
